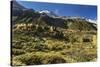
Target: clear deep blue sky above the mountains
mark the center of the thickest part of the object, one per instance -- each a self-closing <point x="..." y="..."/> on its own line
<point x="87" y="11"/>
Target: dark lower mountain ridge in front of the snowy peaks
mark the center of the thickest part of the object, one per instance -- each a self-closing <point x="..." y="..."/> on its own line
<point x="29" y="16"/>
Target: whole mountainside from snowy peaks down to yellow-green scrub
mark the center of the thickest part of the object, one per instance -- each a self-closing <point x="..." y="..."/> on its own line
<point x="45" y="38"/>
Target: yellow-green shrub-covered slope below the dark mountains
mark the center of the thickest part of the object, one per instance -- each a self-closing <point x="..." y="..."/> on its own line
<point x="28" y="49"/>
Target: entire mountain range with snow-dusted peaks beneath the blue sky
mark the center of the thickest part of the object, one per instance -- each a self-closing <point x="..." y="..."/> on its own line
<point x="48" y="18"/>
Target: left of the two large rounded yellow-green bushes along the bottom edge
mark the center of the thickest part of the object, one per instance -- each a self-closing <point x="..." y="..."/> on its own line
<point x="29" y="59"/>
